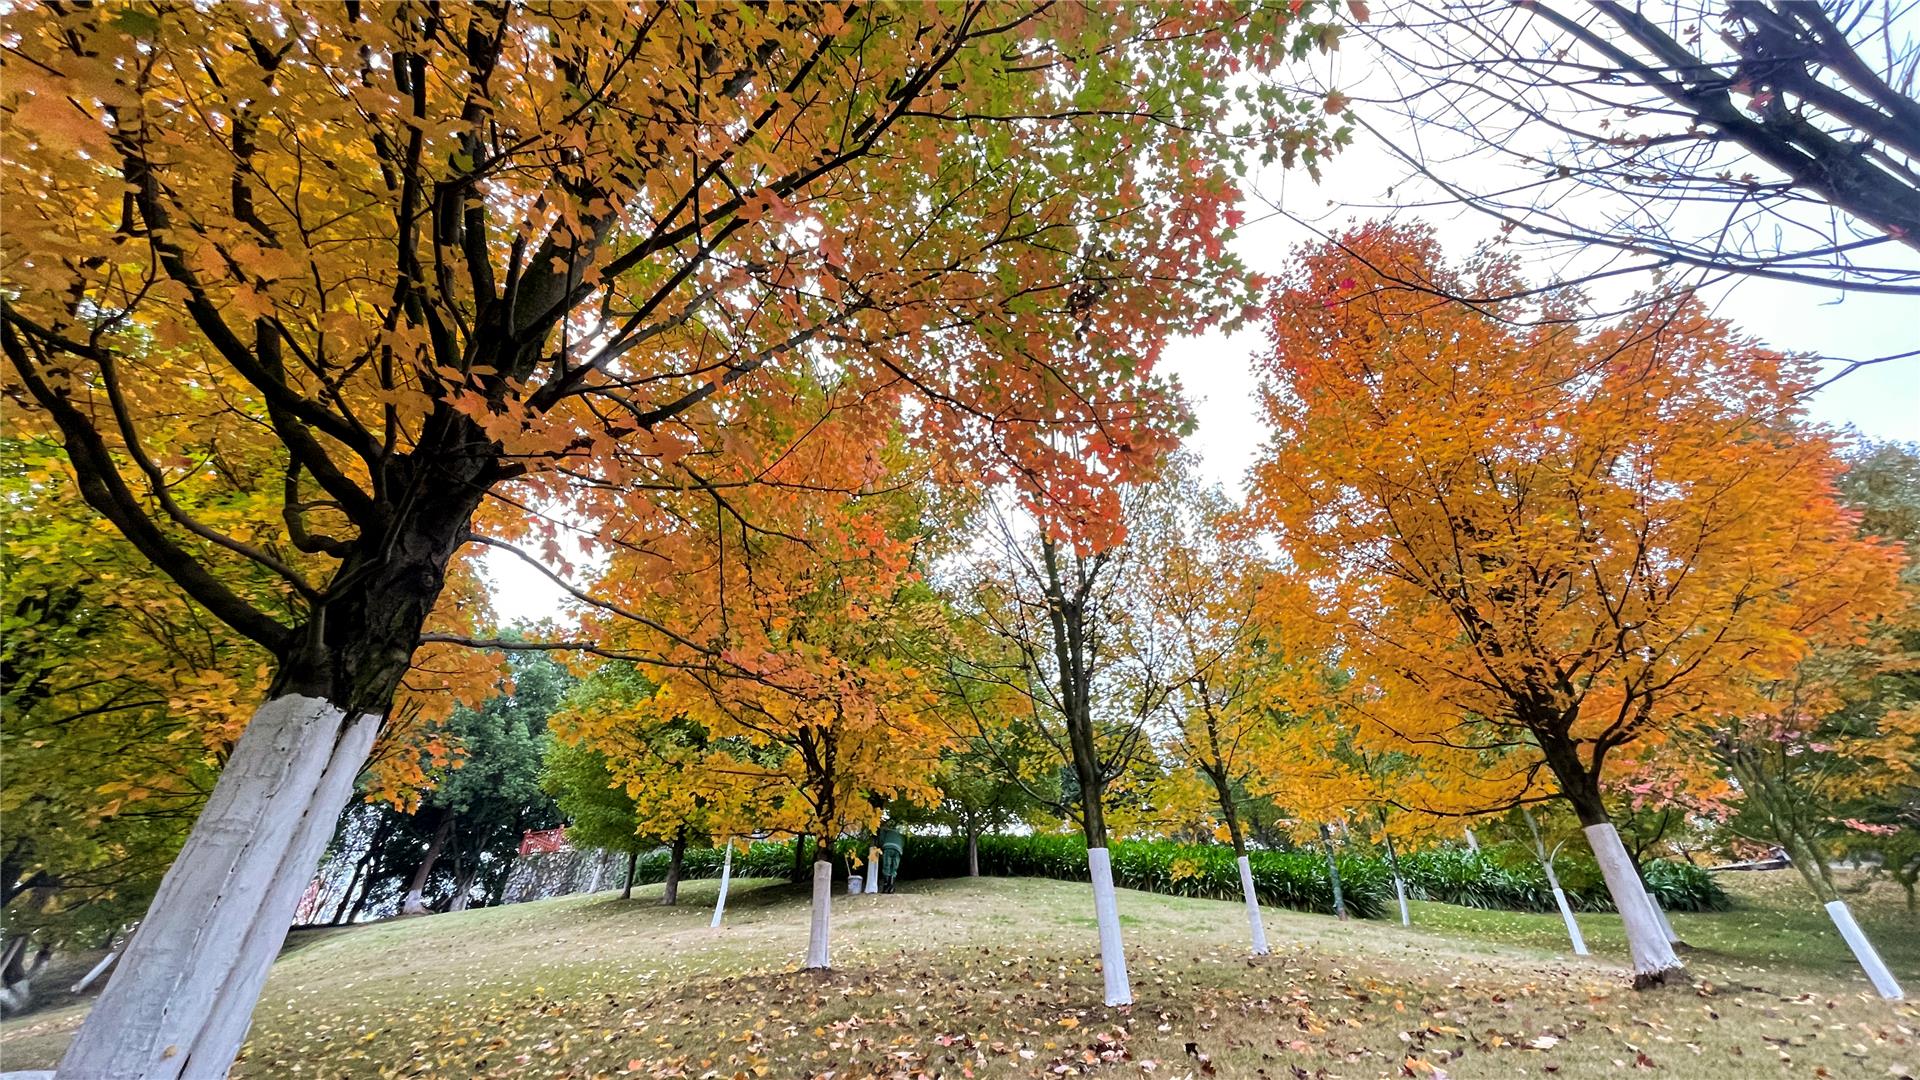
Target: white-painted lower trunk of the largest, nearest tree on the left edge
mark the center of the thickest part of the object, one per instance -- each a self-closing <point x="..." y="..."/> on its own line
<point x="183" y="996"/>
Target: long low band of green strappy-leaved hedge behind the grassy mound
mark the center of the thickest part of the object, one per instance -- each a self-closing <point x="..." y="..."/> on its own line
<point x="1491" y="879"/>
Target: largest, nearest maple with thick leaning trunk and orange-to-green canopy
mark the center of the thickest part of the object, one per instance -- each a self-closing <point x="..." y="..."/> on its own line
<point x="418" y="270"/>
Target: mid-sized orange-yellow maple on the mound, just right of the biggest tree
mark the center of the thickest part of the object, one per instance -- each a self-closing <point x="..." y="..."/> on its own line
<point x="780" y="626"/>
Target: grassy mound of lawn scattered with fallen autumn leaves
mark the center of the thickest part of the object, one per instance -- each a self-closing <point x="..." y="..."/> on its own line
<point x="994" y="977"/>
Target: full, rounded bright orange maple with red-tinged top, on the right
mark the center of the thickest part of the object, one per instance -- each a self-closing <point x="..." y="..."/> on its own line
<point x="1543" y="543"/>
